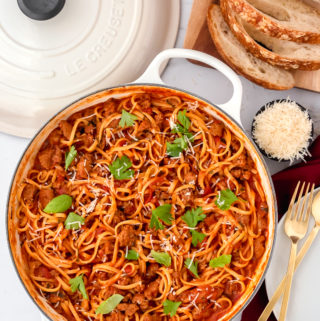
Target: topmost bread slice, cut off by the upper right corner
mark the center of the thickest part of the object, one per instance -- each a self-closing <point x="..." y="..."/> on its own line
<point x="288" y="20"/>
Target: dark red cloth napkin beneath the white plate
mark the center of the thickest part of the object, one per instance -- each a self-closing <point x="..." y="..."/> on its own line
<point x="284" y="184"/>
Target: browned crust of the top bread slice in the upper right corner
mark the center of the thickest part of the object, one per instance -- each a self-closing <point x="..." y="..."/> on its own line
<point x="269" y="26"/>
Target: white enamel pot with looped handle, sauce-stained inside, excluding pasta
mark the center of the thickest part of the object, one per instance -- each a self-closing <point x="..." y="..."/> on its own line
<point x="228" y="113"/>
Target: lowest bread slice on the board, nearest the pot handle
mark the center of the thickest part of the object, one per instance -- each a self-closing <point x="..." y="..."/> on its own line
<point x="242" y="61"/>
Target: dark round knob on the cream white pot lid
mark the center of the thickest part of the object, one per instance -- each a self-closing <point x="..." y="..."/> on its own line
<point x="41" y="9"/>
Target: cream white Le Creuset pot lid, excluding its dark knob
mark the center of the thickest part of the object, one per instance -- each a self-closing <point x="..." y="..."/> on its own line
<point x="87" y="46"/>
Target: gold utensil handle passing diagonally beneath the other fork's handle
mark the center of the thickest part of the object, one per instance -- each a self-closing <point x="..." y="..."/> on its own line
<point x="276" y="295"/>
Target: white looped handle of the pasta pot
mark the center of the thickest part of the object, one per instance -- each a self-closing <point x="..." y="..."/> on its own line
<point x="152" y="75"/>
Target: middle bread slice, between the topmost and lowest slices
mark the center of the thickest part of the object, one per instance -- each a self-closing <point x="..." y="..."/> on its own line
<point x="286" y="54"/>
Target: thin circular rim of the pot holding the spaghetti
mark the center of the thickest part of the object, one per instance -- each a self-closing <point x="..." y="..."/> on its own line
<point x="163" y="86"/>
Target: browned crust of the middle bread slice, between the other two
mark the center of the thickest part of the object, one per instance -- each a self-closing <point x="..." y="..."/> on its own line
<point x="257" y="50"/>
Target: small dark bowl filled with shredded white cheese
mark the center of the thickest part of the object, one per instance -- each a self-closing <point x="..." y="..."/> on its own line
<point x="283" y="130"/>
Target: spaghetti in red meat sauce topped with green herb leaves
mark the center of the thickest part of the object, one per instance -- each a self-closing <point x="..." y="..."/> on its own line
<point x="167" y="216"/>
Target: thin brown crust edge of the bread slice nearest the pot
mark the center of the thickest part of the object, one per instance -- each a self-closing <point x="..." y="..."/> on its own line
<point x="238" y="68"/>
